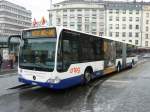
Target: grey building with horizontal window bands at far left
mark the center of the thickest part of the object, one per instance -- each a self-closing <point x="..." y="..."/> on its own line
<point x="13" y="18"/>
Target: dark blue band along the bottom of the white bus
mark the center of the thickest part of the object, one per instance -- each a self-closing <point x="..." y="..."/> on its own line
<point x="65" y="83"/>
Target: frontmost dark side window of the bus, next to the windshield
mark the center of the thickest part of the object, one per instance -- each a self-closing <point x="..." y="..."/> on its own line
<point x="70" y="51"/>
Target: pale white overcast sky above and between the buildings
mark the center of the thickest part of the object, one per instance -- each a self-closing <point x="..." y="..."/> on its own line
<point x="40" y="8"/>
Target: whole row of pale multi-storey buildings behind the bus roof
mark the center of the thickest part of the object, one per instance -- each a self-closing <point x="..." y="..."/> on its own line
<point x="126" y="21"/>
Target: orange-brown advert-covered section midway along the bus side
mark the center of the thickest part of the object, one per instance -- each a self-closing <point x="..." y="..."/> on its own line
<point x="109" y="56"/>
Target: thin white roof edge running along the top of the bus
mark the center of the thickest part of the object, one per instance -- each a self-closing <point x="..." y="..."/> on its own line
<point x="60" y="28"/>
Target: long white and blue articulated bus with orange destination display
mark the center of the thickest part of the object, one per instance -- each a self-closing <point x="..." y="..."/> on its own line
<point x="59" y="58"/>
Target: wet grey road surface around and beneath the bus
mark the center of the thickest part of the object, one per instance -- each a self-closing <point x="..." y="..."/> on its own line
<point x="128" y="91"/>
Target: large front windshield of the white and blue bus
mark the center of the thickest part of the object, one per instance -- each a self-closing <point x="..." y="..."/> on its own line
<point x="38" y="54"/>
